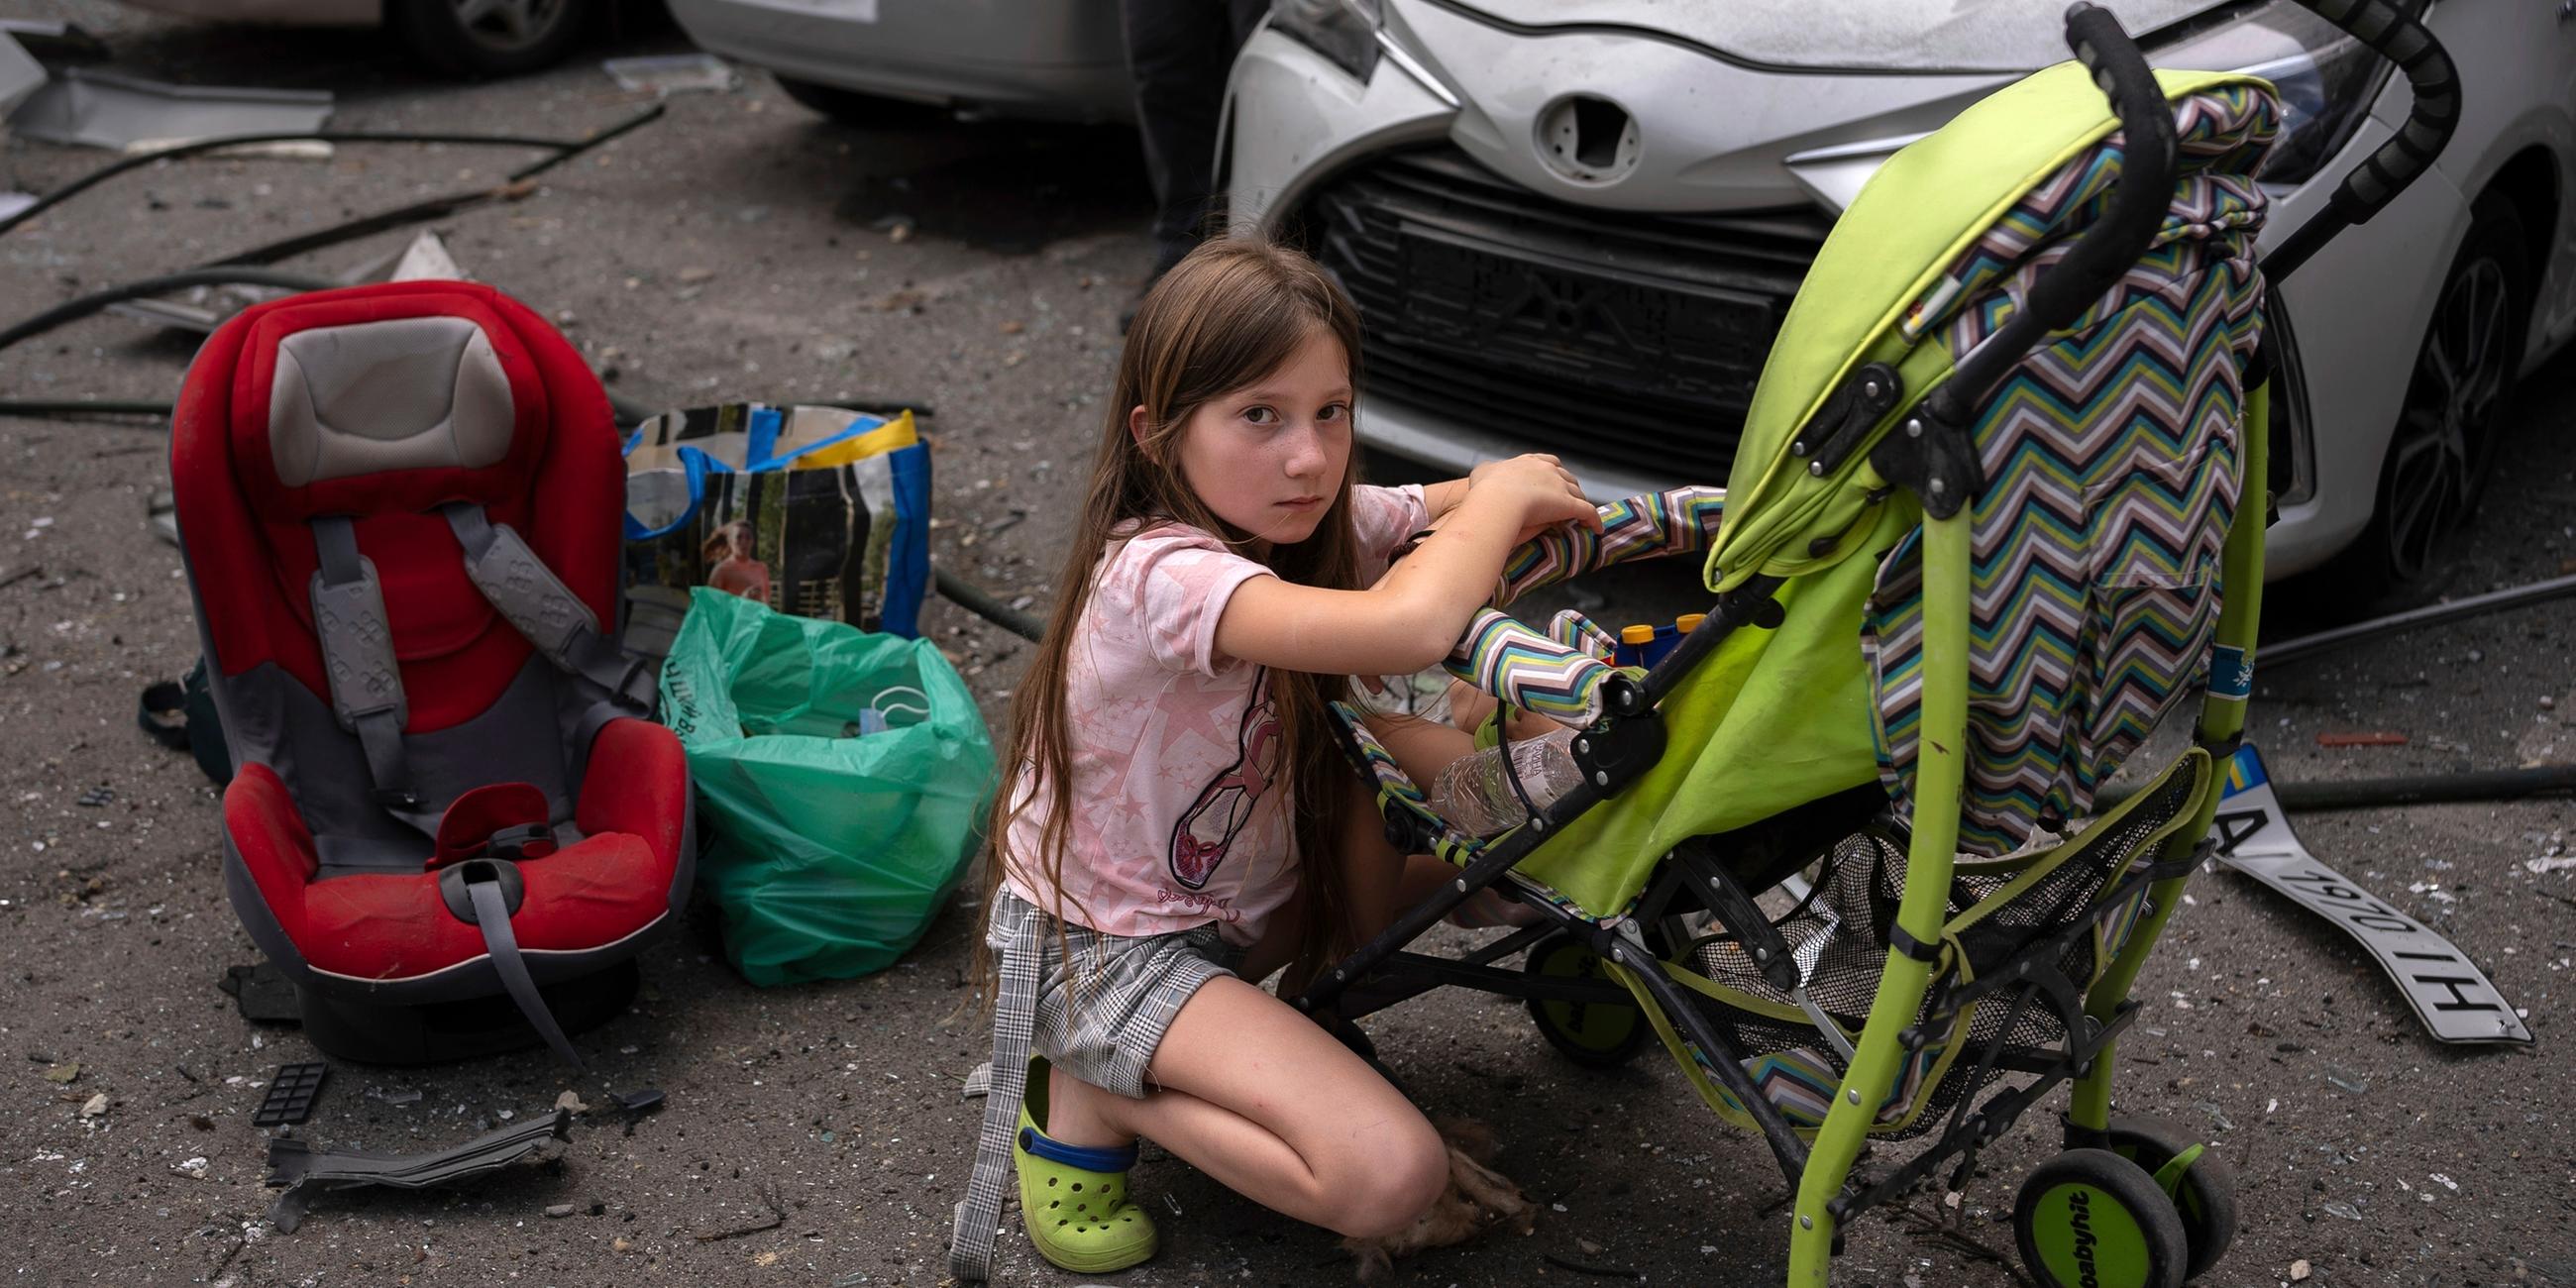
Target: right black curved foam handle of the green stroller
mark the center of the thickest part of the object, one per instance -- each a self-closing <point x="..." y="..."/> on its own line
<point x="2412" y="151"/>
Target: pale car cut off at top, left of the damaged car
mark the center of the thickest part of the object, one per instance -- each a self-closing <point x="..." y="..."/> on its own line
<point x="1006" y="58"/>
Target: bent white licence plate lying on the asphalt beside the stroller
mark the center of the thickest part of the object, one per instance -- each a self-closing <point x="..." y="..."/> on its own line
<point x="2448" y="993"/>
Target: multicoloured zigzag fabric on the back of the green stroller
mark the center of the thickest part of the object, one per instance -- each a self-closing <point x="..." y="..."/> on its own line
<point x="2114" y="473"/>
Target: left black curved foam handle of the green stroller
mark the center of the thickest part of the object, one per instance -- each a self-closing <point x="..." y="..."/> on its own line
<point x="2114" y="243"/>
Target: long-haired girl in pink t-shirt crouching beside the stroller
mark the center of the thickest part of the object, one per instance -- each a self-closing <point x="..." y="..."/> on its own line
<point x="1181" y="823"/>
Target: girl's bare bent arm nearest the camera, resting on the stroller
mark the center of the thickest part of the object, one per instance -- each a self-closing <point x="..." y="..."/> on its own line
<point x="1418" y="612"/>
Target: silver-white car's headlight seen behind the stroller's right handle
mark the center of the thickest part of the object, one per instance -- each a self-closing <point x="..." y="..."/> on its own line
<point x="2327" y="79"/>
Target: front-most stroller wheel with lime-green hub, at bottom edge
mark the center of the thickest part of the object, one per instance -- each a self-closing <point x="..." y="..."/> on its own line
<point x="2093" y="1220"/>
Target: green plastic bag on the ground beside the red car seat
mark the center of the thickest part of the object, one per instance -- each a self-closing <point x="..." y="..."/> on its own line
<point x="833" y="841"/>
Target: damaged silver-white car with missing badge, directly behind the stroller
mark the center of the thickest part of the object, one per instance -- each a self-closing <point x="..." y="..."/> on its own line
<point x="1575" y="225"/>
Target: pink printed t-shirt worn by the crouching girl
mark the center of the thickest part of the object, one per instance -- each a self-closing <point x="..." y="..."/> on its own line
<point x="1176" y="784"/>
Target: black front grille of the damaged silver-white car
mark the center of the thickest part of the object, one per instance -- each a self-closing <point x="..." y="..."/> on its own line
<point x="1611" y="336"/>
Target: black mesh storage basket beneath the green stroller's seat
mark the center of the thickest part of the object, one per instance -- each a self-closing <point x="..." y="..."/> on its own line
<point x="1841" y="942"/>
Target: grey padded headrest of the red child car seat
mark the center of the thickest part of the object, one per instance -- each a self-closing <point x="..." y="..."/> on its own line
<point x="408" y="393"/>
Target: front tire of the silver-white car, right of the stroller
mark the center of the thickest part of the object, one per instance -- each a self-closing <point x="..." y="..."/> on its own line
<point x="2446" y="439"/>
